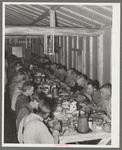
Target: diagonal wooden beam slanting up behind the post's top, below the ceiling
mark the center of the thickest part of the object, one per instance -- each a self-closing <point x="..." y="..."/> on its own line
<point x="44" y="15"/>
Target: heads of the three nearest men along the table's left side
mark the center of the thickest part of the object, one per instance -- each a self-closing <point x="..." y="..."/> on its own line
<point x="43" y="104"/>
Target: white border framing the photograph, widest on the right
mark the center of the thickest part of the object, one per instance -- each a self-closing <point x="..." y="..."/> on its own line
<point x="115" y="72"/>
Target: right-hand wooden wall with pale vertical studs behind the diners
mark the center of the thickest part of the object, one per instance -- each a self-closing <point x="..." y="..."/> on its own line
<point x="89" y="55"/>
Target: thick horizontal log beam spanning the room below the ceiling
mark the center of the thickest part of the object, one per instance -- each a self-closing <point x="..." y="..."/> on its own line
<point x="34" y="30"/>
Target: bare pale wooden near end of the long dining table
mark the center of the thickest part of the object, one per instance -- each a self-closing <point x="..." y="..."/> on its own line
<point x="75" y="137"/>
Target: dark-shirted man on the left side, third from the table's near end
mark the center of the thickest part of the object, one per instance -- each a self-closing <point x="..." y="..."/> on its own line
<point x="23" y="98"/>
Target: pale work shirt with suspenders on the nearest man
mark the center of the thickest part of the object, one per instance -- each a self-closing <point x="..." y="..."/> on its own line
<point x="35" y="131"/>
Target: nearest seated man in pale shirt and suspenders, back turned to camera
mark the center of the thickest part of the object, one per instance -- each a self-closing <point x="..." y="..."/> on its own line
<point x="32" y="129"/>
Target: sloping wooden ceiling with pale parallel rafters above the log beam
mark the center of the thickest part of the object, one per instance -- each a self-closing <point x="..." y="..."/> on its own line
<point x="71" y="16"/>
